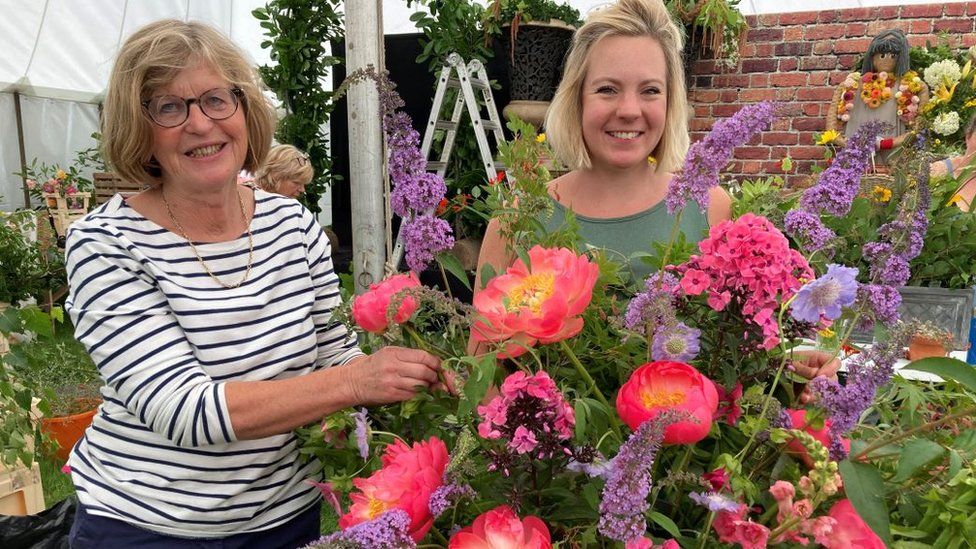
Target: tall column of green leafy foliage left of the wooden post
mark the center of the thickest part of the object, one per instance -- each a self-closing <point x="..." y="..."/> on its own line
<point x="298" y="33"/>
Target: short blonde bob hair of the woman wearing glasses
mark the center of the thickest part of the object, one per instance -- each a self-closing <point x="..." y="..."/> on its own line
<point x="150" y="59"/>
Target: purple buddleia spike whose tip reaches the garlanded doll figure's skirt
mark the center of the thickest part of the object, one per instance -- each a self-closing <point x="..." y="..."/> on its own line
<point x="834" y="191"/>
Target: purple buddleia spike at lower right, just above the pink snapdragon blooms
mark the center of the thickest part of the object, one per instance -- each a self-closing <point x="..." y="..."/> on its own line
<point x="867" y="372"/>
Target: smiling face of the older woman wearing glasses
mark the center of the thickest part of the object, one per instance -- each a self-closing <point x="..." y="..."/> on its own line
<point x="201" y="153"/>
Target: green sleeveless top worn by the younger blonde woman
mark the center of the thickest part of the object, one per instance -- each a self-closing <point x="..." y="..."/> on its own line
<point x="622" y="236"/>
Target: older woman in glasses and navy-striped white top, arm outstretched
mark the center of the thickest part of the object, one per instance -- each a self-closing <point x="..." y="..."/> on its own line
<point x="208" y="309"/>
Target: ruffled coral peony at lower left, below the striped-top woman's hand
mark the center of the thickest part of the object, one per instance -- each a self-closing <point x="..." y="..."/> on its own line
<point x="408" y="478"/>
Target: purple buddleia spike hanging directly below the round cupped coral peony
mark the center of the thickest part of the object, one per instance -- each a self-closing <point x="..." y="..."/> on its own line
<point x="629" y="482"/>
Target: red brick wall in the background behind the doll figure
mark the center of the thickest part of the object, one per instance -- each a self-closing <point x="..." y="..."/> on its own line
<point x="798" y="59"/>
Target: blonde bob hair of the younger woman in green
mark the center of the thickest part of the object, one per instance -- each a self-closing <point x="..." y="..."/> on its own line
<point x="625" y="18"/>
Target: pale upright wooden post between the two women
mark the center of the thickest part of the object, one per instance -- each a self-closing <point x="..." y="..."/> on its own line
<point x="363" y="45"/>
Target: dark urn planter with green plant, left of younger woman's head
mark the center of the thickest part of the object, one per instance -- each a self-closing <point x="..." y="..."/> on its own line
<point x="535" y="34"/>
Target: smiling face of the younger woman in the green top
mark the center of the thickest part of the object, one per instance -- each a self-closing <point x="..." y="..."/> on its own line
<point x="624" y="101"/>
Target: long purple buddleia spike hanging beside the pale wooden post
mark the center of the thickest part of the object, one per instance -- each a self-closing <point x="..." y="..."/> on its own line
<point x="416" y="192"/>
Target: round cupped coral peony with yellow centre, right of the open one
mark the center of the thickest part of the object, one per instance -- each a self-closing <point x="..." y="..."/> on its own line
<point x="661" y="385"/>
